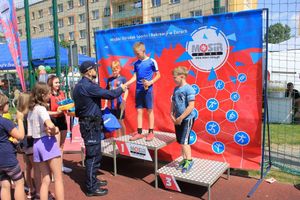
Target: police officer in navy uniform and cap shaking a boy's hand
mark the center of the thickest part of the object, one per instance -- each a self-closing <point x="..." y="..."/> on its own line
<point x="87" y="96"/>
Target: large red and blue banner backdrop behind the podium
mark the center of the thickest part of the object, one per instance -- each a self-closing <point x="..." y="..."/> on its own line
<point x="224" y="56"/>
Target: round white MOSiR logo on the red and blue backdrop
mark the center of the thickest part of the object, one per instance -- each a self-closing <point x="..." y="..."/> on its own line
<point x="209" y="48"/>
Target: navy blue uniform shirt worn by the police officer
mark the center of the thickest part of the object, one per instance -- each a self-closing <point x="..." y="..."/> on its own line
<point x="87" y="96"/>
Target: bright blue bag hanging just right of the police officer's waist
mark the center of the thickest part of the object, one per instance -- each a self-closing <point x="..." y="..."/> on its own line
<point x="110" y="122"/>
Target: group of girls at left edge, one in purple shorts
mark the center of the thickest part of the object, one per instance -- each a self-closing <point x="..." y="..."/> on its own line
<point x="42" y="155"/>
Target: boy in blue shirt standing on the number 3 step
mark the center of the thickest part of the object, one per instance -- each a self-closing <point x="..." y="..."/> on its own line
<point x="183" y="102"/>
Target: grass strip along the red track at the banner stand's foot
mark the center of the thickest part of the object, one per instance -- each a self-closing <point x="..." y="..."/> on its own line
<point x="279" y="175"/>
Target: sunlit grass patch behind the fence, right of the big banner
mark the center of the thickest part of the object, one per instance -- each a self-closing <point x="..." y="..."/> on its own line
<point x="285" y="134"/>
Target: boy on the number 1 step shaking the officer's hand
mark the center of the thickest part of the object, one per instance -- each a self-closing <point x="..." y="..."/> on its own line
<point x="144" y="69"/>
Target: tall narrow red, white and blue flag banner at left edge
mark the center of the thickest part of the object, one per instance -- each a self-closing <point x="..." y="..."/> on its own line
<point x="9" y="26"/>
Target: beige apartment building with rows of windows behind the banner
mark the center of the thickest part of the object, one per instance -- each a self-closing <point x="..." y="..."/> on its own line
<point x="79" y="19"/>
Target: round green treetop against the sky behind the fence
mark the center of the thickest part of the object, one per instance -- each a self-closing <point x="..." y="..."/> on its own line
<point x="279" y="33"/>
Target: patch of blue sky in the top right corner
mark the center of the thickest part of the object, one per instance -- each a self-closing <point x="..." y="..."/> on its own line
<point x="283" y="11"/>
